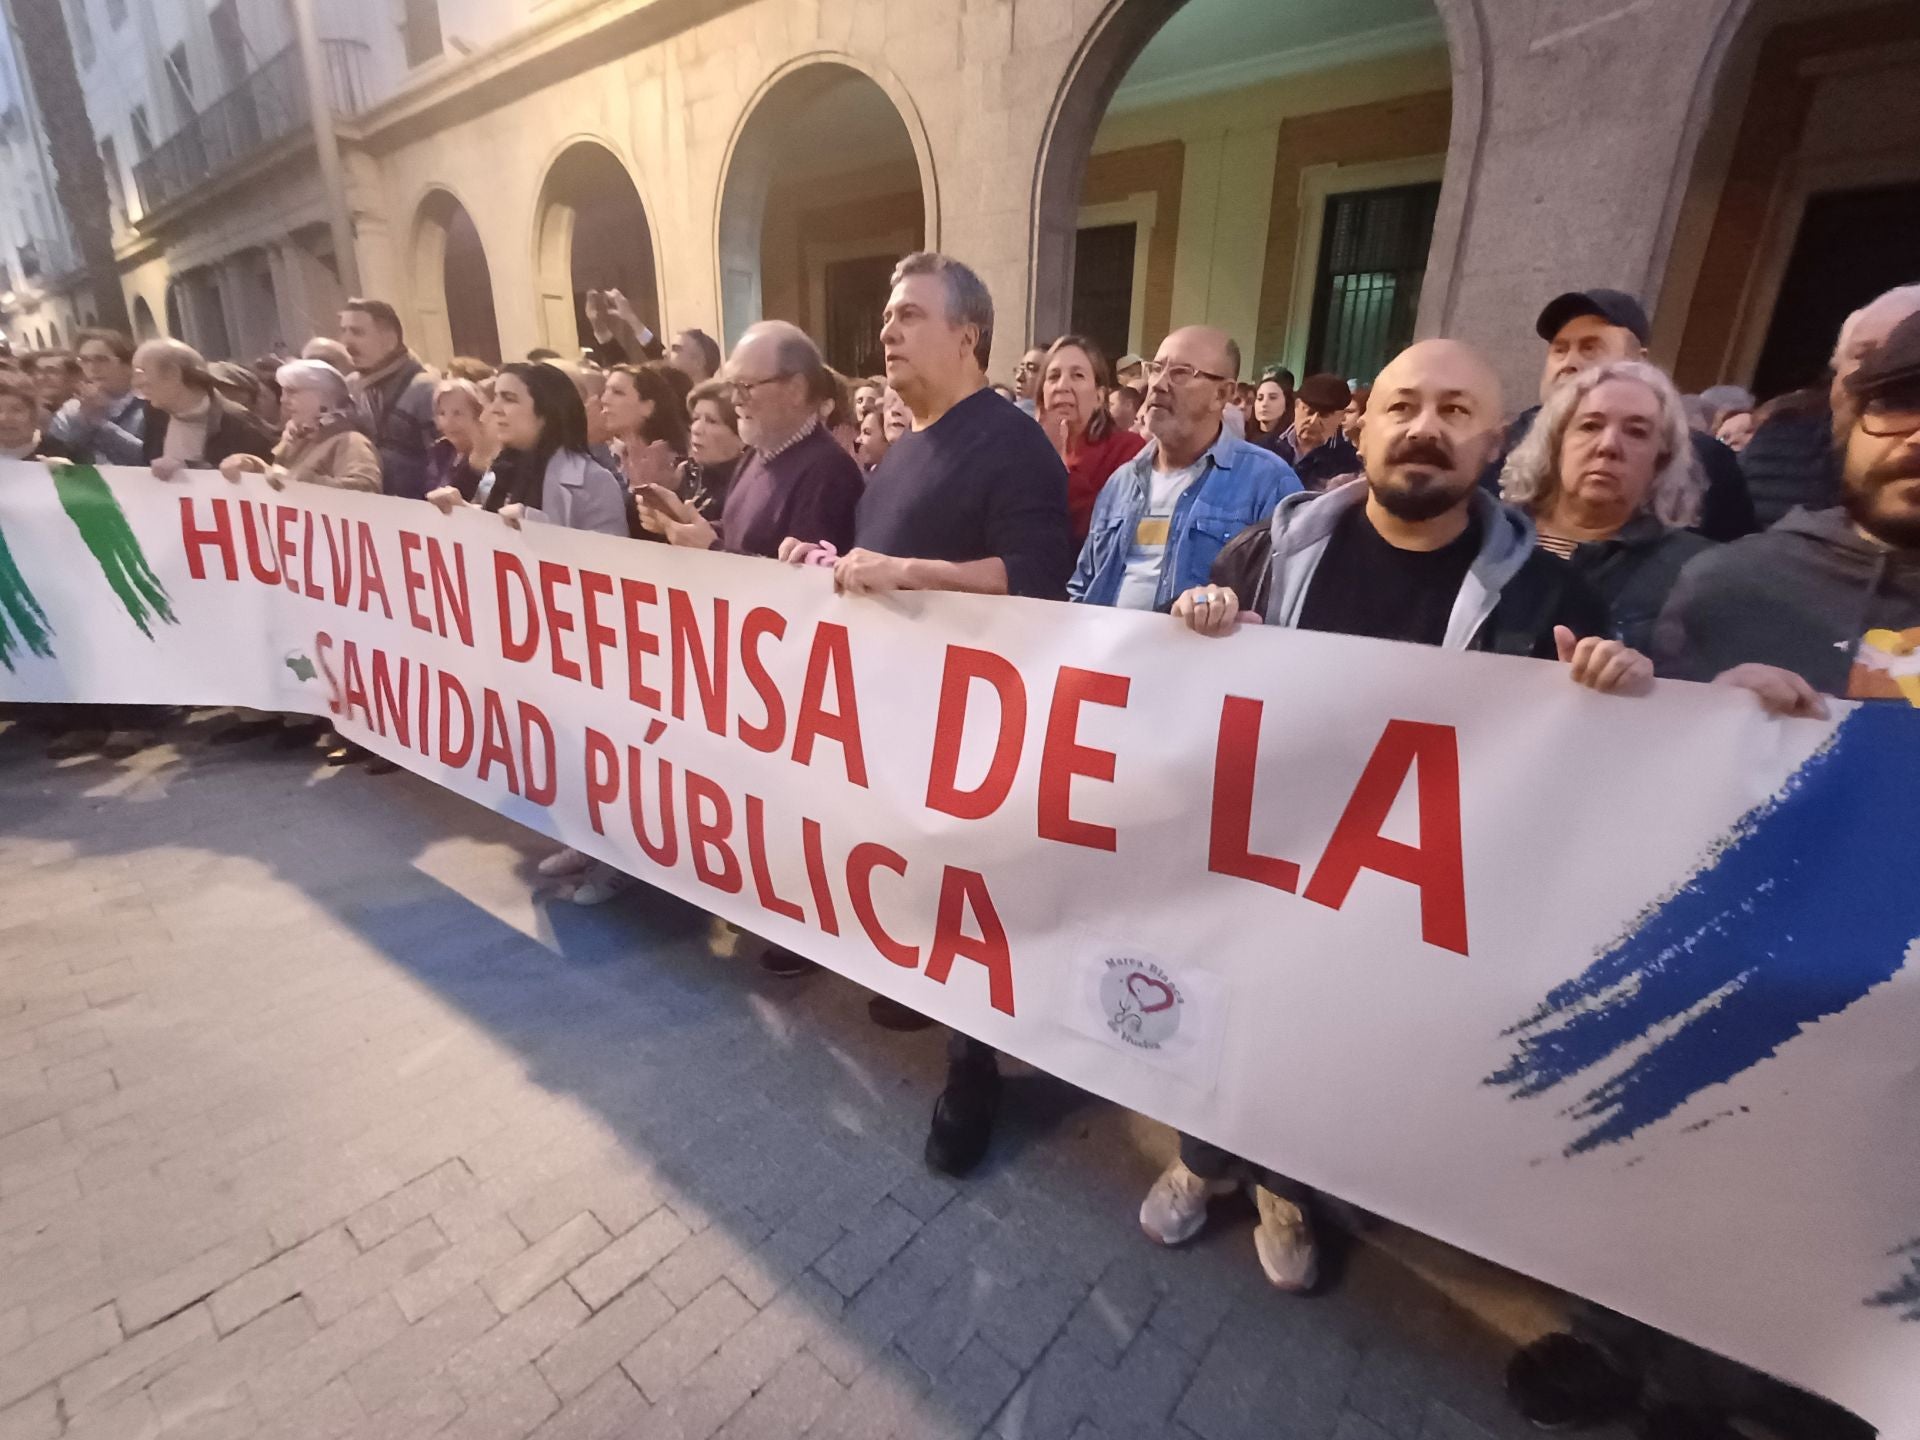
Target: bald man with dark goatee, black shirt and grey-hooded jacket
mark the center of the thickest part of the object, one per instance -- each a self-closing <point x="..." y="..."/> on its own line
<point x="1410" y="552"/>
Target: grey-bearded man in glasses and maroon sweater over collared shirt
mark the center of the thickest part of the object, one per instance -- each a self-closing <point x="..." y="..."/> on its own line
<point x="796" y="479"/>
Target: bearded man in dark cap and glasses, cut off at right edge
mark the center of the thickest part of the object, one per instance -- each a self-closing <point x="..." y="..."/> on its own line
<point x="1827" y="602"/>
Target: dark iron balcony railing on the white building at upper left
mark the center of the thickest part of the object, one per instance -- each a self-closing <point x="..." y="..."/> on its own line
<point x="266" y="107"/>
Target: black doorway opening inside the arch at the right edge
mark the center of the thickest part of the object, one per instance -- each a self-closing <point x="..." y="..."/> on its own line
<point x="1852" y="247"/>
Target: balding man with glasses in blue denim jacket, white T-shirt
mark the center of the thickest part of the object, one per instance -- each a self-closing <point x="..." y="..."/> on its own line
<point x="1166" y="514"/>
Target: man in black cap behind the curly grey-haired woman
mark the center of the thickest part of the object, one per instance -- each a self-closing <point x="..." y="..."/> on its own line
<point x="1591" y="327"/>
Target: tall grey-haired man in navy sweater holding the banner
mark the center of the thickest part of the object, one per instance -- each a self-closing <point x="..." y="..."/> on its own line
<point x="972" y="498"/>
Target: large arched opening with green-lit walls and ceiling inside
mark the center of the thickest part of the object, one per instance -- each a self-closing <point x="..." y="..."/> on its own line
<point x="1287" y="197"/>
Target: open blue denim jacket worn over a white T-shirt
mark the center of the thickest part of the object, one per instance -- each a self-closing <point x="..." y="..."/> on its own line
<point x="1239" y="487"/>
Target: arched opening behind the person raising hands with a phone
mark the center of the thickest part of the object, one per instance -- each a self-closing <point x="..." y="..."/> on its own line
<point x="594" y="235"/>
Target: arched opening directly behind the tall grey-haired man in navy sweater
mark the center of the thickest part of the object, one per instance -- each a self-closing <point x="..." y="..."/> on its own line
<point x="825" y="191"/>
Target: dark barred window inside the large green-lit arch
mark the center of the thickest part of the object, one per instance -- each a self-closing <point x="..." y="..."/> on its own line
<point x="1368" y="285"/>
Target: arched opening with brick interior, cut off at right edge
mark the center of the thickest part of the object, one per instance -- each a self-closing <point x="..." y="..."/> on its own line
<point x="1806" y="195"/>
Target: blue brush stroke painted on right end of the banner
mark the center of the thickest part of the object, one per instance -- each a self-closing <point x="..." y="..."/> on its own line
<point x="1802" y="911"/>
